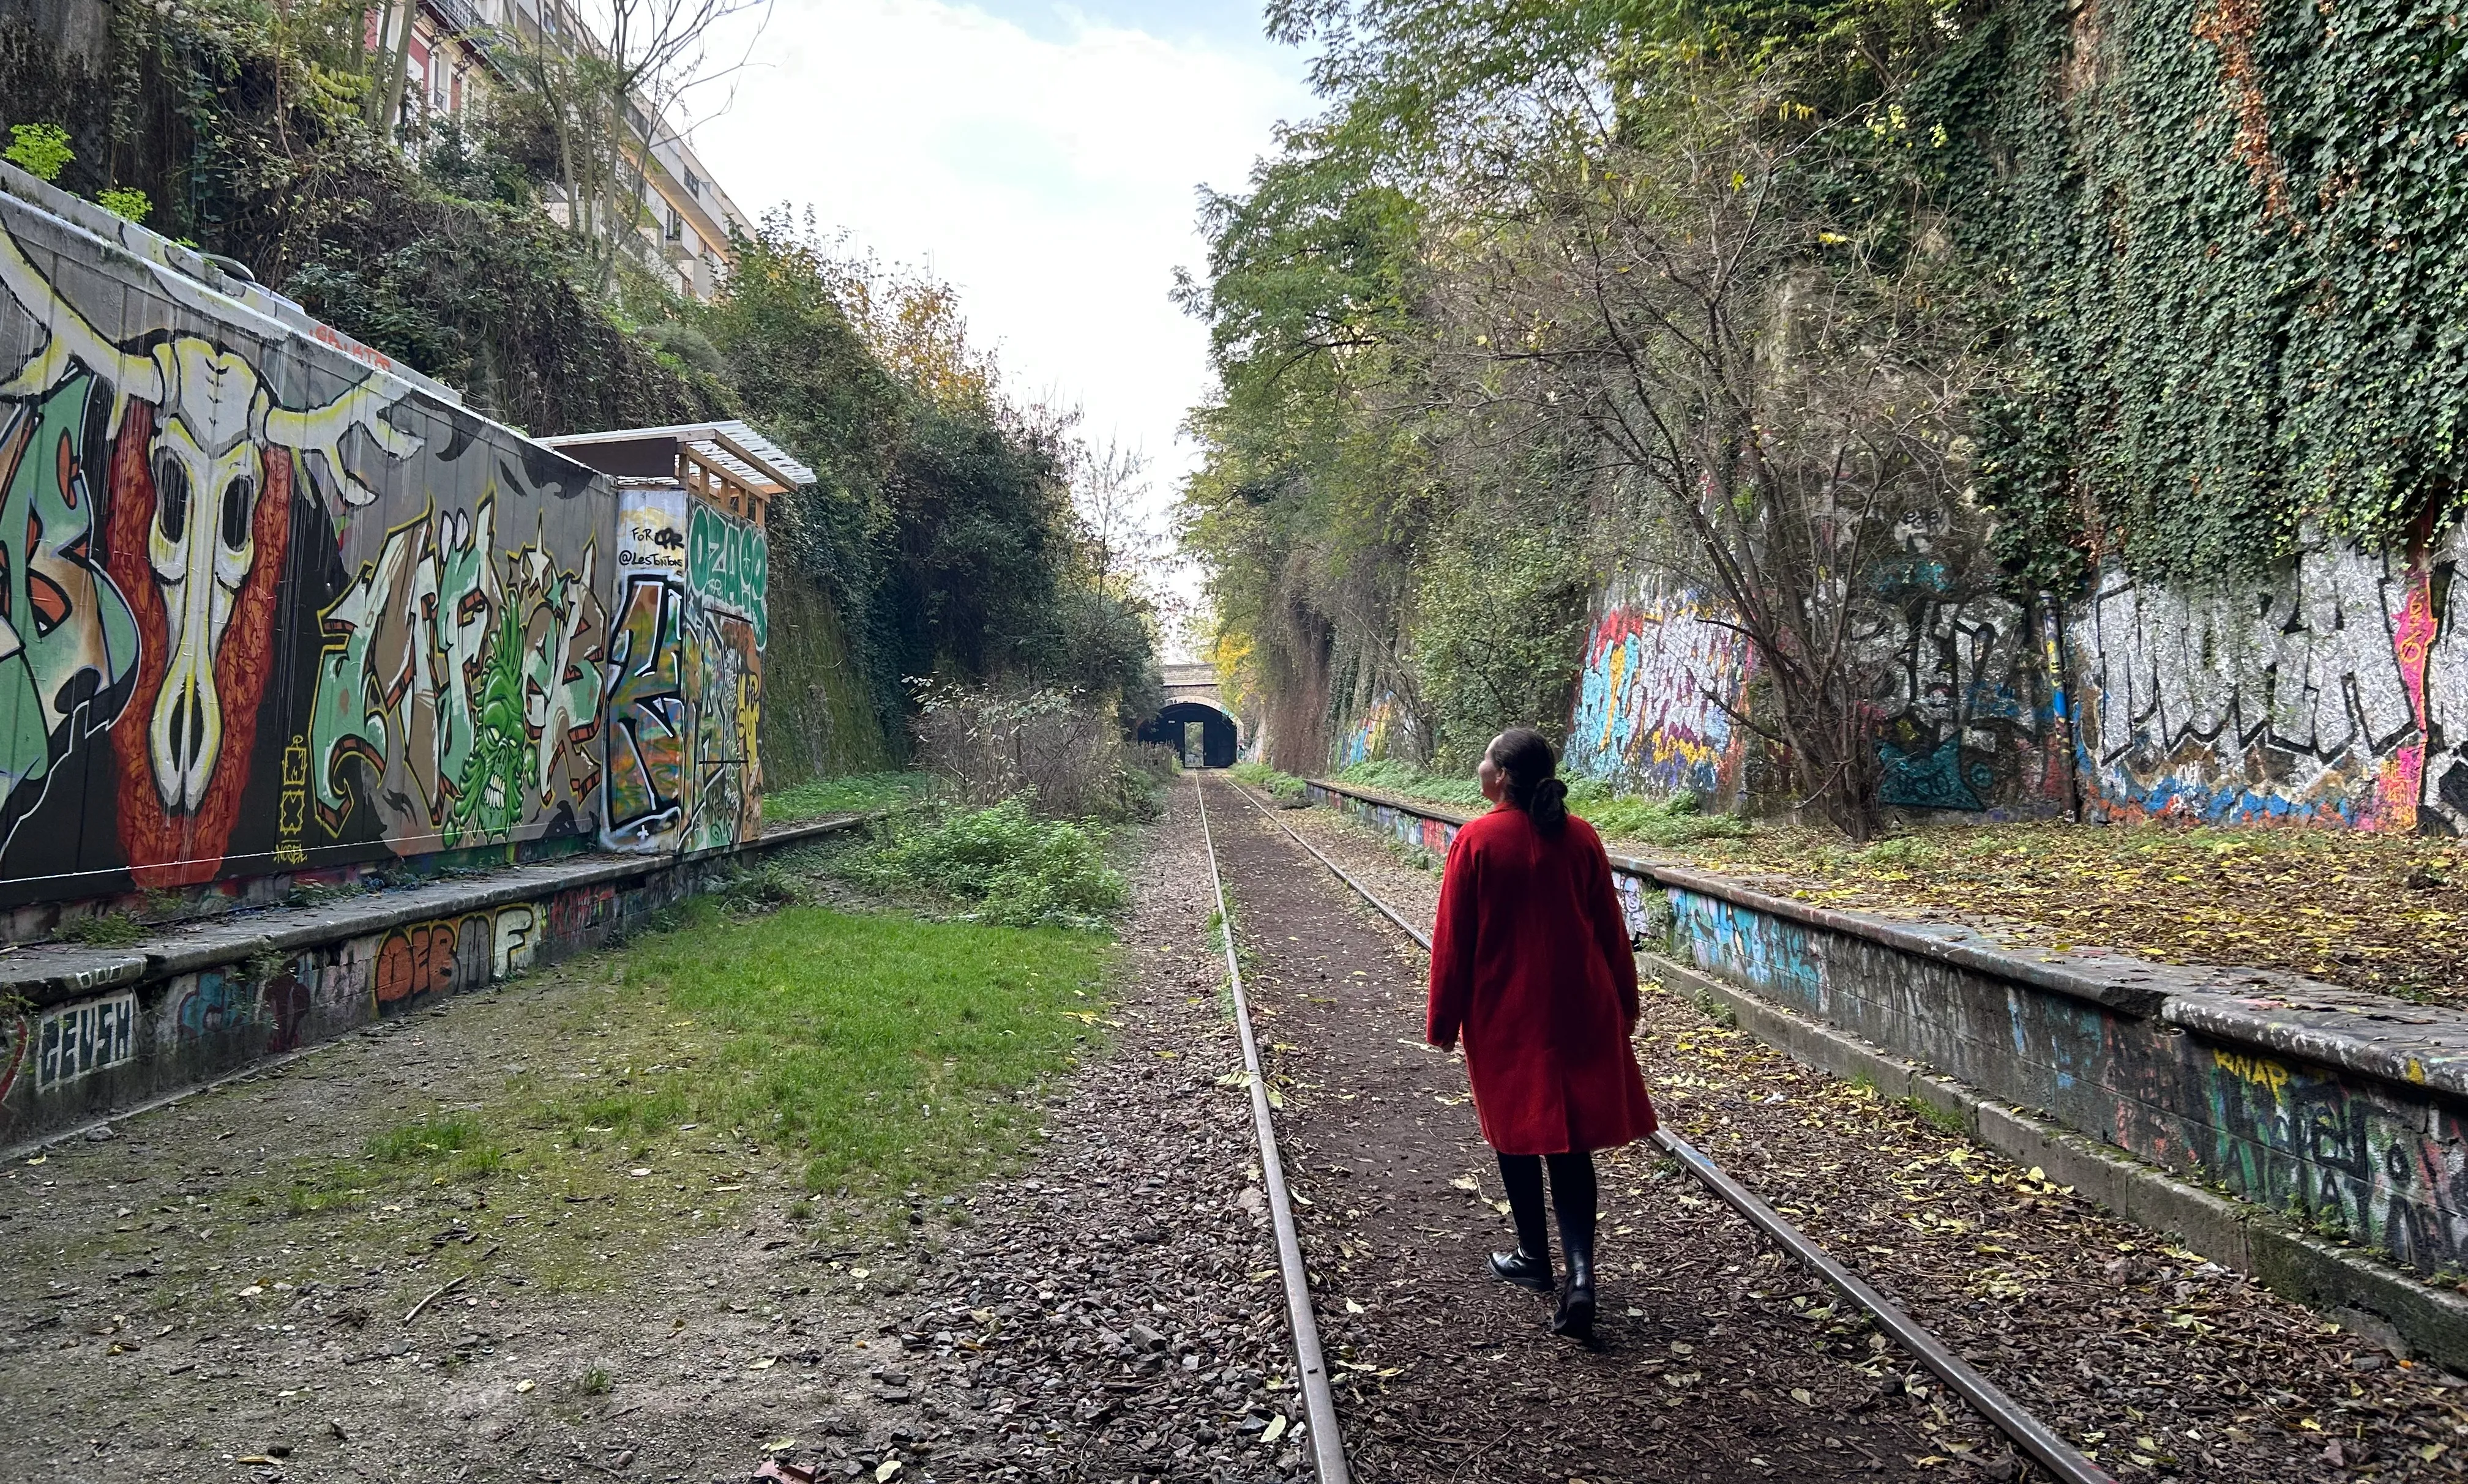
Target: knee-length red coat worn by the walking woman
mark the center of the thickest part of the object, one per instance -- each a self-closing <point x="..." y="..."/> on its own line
<point x="1531" y="969"/>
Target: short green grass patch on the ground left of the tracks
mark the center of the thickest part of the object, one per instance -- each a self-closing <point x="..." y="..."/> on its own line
<point x="803" y="1065"/>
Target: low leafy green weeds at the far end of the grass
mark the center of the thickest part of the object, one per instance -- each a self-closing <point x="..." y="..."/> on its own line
<point x="1018" y="870"/>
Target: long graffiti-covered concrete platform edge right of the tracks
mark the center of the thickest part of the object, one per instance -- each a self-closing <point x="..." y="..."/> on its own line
<point x="2343" y="1112"/>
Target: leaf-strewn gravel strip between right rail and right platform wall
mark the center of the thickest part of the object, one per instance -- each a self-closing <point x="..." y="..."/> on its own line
<point x="2141" y="1352"/>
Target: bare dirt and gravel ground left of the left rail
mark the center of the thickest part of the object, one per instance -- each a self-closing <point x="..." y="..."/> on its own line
<point x="1097" y="1315"/>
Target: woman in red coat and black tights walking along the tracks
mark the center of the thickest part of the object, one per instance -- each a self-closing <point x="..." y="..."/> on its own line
<point x="1531" y="969"/>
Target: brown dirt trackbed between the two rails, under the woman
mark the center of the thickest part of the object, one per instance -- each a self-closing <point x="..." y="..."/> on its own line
<point x="1714" y="1359"/>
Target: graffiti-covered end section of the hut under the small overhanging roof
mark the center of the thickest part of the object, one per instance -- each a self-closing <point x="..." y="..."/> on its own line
<point x="685" y="695"/>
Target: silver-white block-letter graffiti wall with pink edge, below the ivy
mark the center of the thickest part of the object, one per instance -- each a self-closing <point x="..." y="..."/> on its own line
<point x="2336" y="695"/>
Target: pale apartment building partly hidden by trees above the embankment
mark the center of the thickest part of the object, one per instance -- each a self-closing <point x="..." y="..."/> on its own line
<point x="453" y="60"/>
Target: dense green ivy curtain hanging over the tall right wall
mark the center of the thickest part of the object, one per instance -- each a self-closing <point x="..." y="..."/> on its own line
<point x="2232" y="248"/>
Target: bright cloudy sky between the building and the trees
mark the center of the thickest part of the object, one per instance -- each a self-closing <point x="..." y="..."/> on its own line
<point x="1038" y="157"/>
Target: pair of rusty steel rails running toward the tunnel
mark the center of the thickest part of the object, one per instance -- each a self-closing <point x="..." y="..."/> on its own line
<point x="2050" y="1451"/>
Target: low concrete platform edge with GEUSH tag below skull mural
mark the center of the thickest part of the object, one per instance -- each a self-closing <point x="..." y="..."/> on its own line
<point x="93" y="1031"/>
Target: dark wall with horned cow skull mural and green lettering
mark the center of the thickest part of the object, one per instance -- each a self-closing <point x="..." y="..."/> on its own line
<point x="265" y="606"/>
